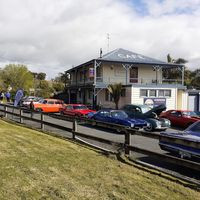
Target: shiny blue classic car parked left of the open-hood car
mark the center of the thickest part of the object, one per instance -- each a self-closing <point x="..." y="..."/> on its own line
<point x="118" y="117"/>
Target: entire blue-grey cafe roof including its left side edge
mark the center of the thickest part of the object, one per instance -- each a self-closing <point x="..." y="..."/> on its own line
<point x="128" y="57"/>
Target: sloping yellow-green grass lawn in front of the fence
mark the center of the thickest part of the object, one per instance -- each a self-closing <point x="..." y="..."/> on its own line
<point x="34" y="165"/>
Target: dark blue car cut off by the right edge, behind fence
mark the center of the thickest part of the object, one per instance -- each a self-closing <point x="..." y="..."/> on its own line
<point x="192" y="133"/>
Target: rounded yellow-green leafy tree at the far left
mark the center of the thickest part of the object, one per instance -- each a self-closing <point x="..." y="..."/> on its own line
<point x="16" y="76"/>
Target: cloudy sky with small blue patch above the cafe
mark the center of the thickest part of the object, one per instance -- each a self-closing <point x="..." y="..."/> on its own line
<point x="51" y="36"/>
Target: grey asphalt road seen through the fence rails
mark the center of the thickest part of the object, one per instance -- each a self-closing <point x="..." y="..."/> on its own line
<point x="138" y="141"/>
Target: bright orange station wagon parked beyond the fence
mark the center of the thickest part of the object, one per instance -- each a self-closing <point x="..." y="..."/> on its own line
<point x="48" y="105"/>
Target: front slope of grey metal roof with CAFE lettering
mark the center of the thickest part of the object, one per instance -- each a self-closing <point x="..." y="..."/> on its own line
<point x="122" y="55"/>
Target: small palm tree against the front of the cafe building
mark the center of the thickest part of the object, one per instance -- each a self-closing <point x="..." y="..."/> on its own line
<point x="115" y="91"/>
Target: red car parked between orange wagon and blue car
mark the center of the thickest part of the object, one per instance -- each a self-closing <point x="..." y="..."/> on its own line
<point x="75" y="110"/>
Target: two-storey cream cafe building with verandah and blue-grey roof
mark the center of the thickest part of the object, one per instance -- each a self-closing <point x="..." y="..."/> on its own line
<point x="145" y="81"/>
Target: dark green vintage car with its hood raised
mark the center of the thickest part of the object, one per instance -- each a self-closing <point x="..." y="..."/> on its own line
<point x="151" y="115"/>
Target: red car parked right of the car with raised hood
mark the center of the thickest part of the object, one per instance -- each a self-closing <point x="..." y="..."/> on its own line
<point x="182" y="118"/>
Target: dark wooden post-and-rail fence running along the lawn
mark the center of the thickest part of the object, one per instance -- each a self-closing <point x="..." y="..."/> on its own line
<point x="126" y="145"/>
